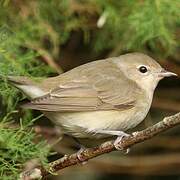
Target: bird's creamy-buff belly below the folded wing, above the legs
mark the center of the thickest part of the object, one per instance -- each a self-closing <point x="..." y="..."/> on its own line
<point x="85" y="124"/>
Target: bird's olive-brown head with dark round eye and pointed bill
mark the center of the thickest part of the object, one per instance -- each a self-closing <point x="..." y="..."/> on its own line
<point x="142" y="69"/>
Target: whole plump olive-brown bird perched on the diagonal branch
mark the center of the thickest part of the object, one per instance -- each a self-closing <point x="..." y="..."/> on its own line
<point x="99" y="99"/>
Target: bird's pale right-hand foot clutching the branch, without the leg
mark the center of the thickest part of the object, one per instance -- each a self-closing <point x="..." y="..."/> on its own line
<point x="117" y="142"/>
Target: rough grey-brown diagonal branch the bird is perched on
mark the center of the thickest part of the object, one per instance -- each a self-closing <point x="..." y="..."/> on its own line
<point x="89" y="153"/>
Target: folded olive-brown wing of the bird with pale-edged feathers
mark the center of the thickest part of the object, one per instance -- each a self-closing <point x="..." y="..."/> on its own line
<point x="93" y="89"/>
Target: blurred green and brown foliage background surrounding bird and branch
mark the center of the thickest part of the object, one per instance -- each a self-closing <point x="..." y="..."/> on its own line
<point x="43" y="38"/>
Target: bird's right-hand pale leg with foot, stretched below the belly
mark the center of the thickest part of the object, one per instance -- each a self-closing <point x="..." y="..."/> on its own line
<point x="120" y="135"/>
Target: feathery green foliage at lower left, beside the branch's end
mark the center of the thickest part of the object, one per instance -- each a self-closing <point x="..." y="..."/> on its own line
<point x="17" y="148"/>
